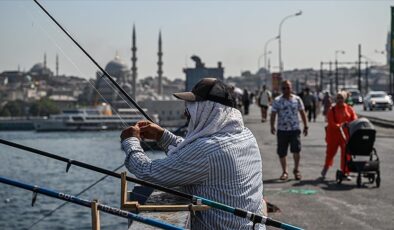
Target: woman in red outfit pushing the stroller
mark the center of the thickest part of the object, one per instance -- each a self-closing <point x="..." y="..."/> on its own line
<point x="336" y="135"/>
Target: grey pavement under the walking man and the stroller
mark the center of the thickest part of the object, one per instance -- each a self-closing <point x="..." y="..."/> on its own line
<point x="315" y="204"/>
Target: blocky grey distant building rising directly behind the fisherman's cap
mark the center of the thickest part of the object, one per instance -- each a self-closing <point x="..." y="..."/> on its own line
<point x="194" y="75"/>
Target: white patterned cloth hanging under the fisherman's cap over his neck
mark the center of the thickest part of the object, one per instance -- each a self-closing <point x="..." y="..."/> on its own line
<point x="208" y="118"/>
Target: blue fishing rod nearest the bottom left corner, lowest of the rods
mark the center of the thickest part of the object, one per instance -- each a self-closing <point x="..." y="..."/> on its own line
<point x="87" y="203"/>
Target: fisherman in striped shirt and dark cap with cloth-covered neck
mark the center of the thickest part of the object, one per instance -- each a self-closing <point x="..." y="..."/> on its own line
<point x="218" y="159"/>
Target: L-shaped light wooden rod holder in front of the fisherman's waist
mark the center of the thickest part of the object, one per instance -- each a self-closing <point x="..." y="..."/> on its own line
<point x="135" y="206"/>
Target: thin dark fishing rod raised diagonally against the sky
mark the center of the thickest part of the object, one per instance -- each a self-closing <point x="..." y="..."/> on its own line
<point x="94" y="61"/>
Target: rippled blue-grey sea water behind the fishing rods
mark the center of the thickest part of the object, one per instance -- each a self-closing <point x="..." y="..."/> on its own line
<point x="101" y="149"/>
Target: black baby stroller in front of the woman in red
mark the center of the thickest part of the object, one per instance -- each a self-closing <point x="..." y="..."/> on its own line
<point x="360" y="145"/>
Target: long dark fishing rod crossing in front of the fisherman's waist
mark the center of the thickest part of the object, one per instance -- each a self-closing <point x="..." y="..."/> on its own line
<point x="255" y="218"/>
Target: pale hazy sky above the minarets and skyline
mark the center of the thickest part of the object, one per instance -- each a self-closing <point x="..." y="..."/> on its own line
<point x="232" y="32"/>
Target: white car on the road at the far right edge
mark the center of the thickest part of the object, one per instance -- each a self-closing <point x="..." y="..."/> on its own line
<point x="378" y="100"/>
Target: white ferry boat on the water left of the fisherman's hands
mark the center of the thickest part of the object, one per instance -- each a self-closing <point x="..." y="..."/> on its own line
<point x="89" y="119"/>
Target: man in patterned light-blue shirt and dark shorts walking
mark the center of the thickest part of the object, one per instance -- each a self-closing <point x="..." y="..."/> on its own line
<point x="287" y="106"/>
